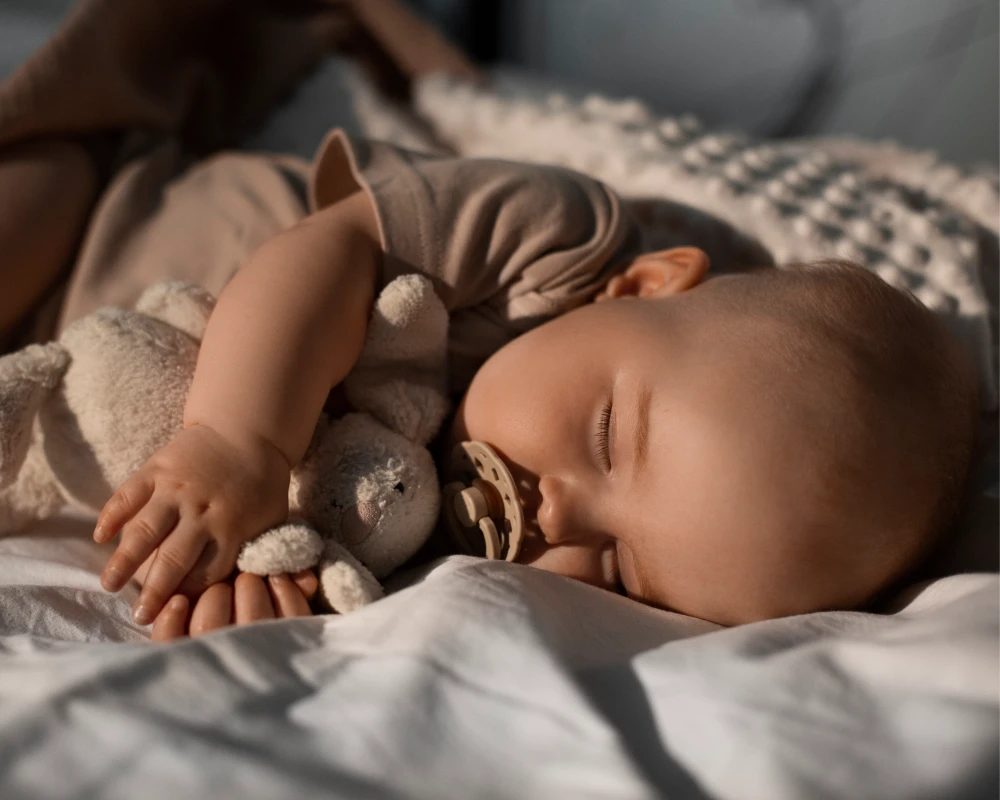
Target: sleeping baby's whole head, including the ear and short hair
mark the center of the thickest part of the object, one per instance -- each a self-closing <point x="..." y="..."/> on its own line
<point x="735" y="449"/>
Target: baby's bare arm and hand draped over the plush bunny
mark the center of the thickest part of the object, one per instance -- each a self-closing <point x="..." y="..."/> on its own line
<point x="287" y="328"/>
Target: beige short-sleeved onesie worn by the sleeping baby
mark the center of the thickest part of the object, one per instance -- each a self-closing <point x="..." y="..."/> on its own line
<point x="507" y="245"/>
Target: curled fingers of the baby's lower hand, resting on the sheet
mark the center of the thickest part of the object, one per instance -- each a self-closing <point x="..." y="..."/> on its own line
<point x="247" y="599"/>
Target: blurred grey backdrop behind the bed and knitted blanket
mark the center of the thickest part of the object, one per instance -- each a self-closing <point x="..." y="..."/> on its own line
<point x="922" y="72"/>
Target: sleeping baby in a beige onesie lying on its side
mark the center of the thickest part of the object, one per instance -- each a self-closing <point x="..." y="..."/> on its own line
<point x="734" y="448"/>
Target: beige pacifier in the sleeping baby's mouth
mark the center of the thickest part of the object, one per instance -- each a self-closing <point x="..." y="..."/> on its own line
<point x="481" y="507"/>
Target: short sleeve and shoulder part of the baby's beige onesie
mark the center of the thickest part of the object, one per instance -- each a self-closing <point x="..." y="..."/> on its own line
<point x="507" y="245"/>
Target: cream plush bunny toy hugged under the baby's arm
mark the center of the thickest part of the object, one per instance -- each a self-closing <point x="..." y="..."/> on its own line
<point x="79" y="415"/>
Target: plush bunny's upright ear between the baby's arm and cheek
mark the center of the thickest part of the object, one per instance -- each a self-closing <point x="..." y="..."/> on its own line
<point x="401" y="376"/>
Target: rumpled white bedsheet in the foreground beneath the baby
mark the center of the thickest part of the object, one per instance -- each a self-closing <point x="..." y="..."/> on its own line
<point x="490" y="680"/>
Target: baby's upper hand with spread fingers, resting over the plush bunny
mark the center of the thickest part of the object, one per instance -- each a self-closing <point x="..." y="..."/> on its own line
<point x="194" y="502"/>
